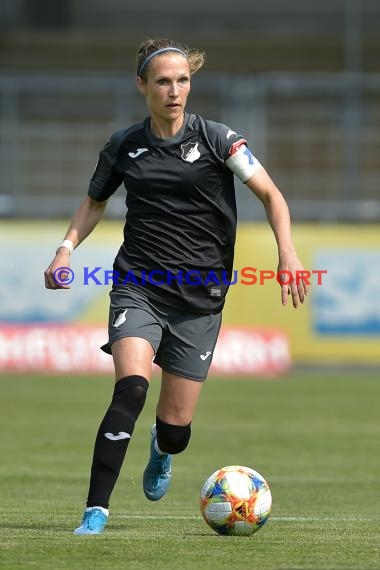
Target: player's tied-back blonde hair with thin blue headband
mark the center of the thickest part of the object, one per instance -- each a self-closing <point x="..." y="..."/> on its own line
<point x="146" y="50"/>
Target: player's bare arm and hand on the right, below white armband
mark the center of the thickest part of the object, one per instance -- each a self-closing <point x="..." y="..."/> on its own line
<point x="279" y="219"/>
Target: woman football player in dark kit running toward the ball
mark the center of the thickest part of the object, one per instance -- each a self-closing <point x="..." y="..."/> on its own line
<point x="178" y="170"/>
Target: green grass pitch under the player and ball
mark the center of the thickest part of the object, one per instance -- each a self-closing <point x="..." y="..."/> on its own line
<point x="314" y="437"/>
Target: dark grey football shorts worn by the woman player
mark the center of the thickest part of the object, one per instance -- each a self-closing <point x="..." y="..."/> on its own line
<point x="183" y="342"/>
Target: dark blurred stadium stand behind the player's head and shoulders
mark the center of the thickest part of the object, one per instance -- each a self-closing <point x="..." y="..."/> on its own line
<point x="300" y="80"/>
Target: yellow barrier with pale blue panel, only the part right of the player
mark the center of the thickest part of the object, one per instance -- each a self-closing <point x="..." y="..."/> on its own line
<point x="261" y="305"/>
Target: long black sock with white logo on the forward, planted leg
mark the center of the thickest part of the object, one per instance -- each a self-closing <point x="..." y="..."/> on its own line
<point x="113" y="438"/>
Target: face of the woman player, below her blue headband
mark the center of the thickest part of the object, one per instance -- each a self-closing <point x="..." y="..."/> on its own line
<point x="166" y="86"/>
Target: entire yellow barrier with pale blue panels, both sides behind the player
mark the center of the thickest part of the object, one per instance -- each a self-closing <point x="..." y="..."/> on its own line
<point x="340" y="321"/>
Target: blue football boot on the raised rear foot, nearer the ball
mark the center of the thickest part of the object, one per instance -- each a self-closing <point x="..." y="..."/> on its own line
<point x="158" y="472"/>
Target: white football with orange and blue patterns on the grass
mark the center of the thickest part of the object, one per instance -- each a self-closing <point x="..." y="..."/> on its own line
<point x="236" y="501"/>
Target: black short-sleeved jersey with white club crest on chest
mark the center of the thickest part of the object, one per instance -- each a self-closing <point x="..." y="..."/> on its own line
<point x="180" y="227"/>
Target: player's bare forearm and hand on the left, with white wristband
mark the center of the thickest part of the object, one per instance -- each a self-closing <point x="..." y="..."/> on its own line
<point x="84" y="220"/>
